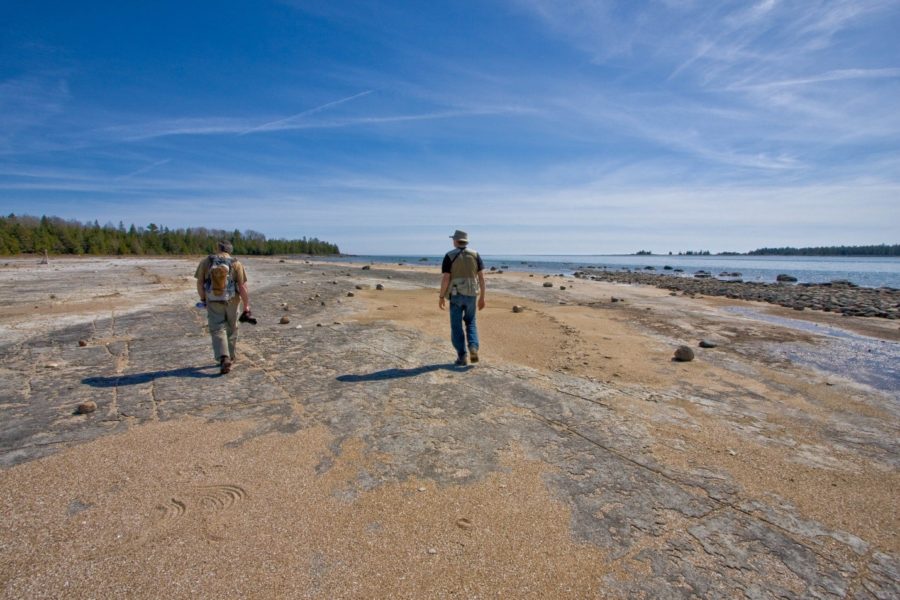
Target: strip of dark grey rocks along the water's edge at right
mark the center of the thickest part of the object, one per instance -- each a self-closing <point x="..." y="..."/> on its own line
<point x="836" y="296"/>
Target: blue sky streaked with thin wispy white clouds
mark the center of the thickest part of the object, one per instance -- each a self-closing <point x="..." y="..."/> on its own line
<point x="539" y="126"/>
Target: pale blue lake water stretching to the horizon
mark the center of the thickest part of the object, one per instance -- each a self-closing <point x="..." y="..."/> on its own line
<point x="863" y="271"/>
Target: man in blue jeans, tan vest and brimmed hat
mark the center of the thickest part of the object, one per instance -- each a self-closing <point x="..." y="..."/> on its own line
<point x="462" y="278"/>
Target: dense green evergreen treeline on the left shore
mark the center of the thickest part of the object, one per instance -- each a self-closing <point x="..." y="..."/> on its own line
<point x="26" y="234"/>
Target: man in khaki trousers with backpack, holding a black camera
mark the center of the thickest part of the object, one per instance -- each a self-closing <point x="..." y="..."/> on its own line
<point x="222" y="286"/>
